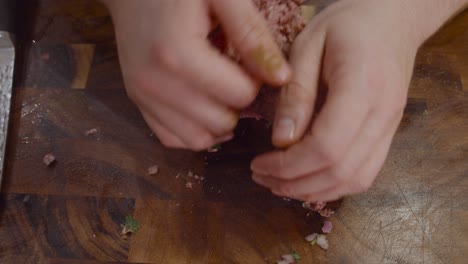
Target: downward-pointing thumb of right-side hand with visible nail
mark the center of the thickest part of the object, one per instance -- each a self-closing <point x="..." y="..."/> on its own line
<point x="297" y="99"/>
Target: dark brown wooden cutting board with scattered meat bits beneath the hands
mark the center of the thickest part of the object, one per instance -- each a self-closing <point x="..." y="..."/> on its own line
<point x="68" y="81"/>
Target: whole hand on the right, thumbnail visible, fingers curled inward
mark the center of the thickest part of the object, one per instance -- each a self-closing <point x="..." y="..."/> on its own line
<point x="363" y="51"/>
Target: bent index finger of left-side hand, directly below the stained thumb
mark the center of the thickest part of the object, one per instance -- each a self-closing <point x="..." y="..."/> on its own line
<point x="219" y="77"/>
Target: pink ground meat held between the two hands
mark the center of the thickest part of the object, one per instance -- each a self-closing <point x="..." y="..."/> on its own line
<point x="285" y="21"/>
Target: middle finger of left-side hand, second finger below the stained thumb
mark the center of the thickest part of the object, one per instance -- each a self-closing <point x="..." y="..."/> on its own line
<point x="173" y="93"/>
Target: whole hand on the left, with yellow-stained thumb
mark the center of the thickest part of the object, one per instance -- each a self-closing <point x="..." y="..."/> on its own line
<point x="189" y="93"/>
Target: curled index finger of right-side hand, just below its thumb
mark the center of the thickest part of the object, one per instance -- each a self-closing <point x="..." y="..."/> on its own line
<point x="336" y="127"/>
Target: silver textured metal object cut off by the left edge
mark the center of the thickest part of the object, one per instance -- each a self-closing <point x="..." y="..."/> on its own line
<point x="7" y="61"/>
